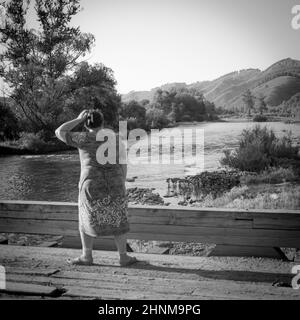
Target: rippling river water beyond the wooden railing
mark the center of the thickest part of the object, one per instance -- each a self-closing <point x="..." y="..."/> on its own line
<point x="55" y="177"/>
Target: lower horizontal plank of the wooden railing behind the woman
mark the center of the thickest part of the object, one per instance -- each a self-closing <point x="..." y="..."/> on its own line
<point x="234" y="236"/>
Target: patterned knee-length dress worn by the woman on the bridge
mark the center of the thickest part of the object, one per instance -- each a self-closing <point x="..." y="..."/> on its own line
<point x="102" y="200"/>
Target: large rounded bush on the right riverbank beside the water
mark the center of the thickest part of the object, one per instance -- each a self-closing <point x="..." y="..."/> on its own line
<point x="259" y="149"/>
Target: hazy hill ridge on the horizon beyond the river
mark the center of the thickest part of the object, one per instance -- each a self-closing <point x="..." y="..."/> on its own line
<point x="278" y="83"/>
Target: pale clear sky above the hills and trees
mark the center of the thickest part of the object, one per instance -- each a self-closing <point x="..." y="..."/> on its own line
<point x="152" y="42"/>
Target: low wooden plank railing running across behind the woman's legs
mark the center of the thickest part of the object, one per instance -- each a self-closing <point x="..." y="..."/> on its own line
<point x="236" y="232"/>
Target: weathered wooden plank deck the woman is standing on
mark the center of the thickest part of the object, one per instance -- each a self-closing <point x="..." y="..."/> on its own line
<point x="35" y="272"/>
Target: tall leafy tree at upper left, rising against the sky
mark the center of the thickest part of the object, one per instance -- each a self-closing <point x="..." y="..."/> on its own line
<point x="36" y="63"/>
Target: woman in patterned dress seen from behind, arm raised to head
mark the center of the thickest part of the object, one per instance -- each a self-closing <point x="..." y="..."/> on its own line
<point x="102" y="198"/>
